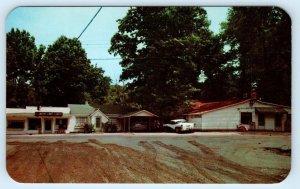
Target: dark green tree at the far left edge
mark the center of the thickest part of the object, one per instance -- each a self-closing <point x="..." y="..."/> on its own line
<point x="20" y="55"/>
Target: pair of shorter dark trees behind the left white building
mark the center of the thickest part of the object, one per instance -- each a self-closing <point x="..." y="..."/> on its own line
<point x="53" y="76"/>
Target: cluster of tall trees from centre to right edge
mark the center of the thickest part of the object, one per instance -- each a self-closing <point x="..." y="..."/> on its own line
<point x="166" y="51"/>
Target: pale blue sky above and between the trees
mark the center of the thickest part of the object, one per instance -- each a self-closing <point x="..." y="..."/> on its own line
<point x="46" y="24"/>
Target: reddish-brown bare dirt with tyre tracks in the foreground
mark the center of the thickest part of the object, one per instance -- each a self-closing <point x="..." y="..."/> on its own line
<point x="97" y="162"/>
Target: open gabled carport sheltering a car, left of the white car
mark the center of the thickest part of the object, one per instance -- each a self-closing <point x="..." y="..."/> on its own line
<point x="141" y="116"/>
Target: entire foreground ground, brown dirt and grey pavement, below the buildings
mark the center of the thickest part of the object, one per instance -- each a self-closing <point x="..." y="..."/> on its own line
<point x="150" y="158"/>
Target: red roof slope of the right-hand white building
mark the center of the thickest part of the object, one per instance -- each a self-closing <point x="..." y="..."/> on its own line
<point x="199" y="107"/>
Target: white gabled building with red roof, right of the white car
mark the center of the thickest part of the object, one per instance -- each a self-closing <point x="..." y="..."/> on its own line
<point x="227" y="115"/>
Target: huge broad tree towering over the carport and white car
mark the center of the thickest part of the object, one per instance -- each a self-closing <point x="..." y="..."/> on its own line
<point x="162" y="52"/>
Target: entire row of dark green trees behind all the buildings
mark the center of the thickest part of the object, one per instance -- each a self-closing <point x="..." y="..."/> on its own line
<point x="169" y="57"/>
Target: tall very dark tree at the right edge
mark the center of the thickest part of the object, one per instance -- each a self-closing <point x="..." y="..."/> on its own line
<point x="260" y="38"/>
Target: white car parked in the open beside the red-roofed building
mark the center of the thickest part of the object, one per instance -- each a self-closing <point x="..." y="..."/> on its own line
<point x="179" y="125"/>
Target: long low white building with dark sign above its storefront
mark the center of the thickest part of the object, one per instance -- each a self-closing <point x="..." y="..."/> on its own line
<point x="33" y="119"/>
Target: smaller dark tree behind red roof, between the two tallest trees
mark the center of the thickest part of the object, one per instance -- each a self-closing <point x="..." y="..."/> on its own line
<point x="219" y="83"/>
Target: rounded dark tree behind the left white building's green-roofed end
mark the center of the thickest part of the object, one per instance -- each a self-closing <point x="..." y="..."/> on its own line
<point x="69" y="76"/>
